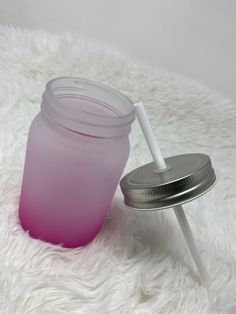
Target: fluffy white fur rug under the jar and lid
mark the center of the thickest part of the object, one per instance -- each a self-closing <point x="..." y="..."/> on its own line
<point x="139" y="262"/>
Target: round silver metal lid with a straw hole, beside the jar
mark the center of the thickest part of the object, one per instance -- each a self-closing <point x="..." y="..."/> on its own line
<point x="187" y="177"/>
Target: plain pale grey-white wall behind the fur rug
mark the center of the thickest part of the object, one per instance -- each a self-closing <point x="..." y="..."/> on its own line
<point x="195" y="38"/>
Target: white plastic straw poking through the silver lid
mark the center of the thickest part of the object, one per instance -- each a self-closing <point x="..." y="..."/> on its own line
<point x="161" y="165"/>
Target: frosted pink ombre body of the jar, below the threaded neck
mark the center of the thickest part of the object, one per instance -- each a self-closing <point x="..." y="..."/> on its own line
<point x="68" y="184"/>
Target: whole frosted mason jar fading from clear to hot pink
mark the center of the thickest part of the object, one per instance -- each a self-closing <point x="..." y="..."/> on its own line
<point x="77" y="149"/>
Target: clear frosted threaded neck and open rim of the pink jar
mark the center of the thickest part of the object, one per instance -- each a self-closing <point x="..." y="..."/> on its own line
<point x="87" y="107"/>
